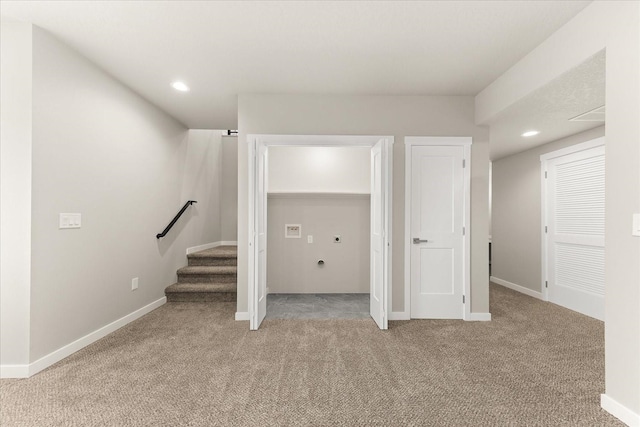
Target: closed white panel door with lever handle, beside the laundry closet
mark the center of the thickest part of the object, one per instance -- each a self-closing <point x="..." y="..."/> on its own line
<point x="437" y="221"/>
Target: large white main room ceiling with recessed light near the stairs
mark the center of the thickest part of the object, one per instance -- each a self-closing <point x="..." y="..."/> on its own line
<point x="222" y="49"/>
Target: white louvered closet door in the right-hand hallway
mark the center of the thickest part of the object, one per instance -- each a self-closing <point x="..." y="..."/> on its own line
<point x="575" y="235"/>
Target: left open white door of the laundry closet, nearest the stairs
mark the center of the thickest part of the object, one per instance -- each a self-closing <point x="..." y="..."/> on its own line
<point x="260" y="289"/>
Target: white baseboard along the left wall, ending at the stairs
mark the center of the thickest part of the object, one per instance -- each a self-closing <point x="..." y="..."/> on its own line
<point x="25" y="371"/>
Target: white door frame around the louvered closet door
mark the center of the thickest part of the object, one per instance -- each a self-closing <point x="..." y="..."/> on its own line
<point x="544" y="159"/>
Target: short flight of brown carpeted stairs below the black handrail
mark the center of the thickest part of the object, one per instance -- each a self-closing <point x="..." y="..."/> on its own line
<point x="209" y="277"/>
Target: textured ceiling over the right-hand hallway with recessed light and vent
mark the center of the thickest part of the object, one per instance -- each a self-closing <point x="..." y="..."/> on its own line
<point x="549" y="109"/>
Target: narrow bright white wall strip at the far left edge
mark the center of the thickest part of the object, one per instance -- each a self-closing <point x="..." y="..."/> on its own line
<point x="15" y="192"/>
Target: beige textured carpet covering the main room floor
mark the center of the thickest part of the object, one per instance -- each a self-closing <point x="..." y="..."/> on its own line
<point x="192" y="364"/>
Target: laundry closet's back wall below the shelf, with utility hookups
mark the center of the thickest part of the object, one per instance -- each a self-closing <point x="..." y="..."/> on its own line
<point x="292" y="264"/>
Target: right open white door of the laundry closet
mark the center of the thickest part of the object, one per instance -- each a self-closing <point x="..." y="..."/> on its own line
<point x="379" y="279"/>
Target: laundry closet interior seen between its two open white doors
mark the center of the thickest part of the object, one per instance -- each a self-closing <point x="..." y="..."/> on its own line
<point x="318" y="232"/>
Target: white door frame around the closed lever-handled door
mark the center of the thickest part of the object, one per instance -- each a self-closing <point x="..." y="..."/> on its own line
<point x="416" y="141"/>
